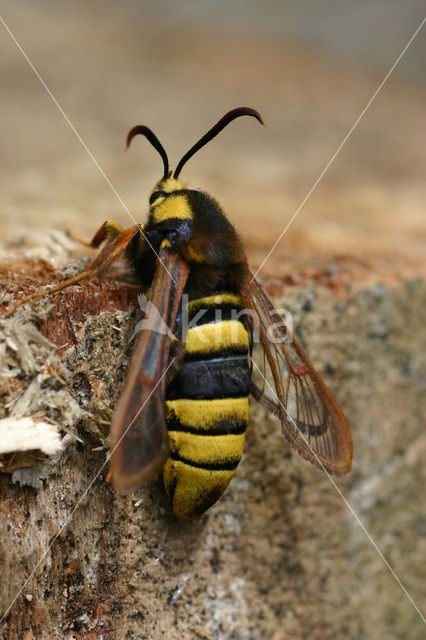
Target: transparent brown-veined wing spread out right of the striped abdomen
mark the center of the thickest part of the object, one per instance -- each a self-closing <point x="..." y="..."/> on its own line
<point x="312" y="421"/>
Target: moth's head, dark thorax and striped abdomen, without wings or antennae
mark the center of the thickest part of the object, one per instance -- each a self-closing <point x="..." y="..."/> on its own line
<point x="207" y="400"/>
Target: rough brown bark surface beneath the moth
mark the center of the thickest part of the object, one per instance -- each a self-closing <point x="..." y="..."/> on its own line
<point x="281" y="555"/>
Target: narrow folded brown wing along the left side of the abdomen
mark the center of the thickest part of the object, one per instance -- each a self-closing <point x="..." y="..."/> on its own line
<point x="139" y="441"/>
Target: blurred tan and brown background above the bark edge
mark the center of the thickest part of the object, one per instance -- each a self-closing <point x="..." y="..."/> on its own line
<point x="310" y="68"/>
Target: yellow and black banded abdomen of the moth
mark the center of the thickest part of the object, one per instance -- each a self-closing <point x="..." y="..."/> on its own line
<point x="207" y="407"/>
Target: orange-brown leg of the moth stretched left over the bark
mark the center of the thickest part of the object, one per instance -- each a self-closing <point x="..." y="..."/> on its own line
<point x="113" y="251"/>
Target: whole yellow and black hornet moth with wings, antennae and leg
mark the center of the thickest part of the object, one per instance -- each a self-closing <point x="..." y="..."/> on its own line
<point x="184" y="407"/>
